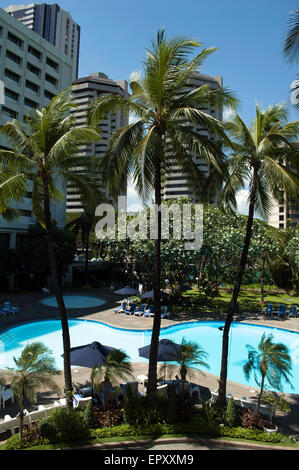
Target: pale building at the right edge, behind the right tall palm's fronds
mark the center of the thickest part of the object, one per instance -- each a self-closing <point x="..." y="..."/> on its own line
<point x="284" y="211"/>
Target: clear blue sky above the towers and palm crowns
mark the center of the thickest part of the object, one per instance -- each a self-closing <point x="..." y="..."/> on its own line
<point x="248" y="35"/>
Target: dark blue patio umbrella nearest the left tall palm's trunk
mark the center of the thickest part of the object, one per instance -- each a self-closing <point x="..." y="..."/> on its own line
<point x="90" y="355"/>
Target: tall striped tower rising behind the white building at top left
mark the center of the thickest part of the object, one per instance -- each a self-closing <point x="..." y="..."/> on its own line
<point x="53" y="24"/>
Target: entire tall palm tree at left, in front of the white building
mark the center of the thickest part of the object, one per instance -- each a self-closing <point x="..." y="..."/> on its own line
<point x="44" y="153"/>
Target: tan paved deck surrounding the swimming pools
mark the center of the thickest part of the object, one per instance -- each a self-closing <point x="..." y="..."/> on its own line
<point x="31" y="309"/>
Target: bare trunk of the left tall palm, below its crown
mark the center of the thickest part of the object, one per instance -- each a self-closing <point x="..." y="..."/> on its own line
<point x="59" y="296"/>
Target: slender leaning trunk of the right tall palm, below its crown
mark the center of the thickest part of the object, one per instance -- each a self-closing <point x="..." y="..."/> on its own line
<point x="221" y="400"/>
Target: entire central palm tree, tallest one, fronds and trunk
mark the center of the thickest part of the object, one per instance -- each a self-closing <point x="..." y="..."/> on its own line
<point x="164" y="108"/>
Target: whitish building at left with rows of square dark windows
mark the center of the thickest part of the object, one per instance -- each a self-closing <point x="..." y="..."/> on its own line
<point x="32" y="71"/>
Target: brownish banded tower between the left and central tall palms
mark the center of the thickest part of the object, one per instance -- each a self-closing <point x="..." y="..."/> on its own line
<point x="85" y="90"/>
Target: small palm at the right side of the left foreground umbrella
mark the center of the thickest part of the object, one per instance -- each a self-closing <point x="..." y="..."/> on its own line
<point x="116" y="367"/>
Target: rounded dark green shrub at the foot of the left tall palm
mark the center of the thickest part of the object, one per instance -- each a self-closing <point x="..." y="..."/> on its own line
<point x="68" y="425"/>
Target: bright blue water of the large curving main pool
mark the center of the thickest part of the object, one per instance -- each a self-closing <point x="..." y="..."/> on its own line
<point x="206" y="334"/>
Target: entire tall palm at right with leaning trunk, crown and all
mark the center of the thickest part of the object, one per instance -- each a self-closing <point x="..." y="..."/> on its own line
<point x="264" y="156"/>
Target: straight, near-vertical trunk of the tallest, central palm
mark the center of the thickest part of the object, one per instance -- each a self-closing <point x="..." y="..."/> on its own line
<point x="152" y="370"/>
